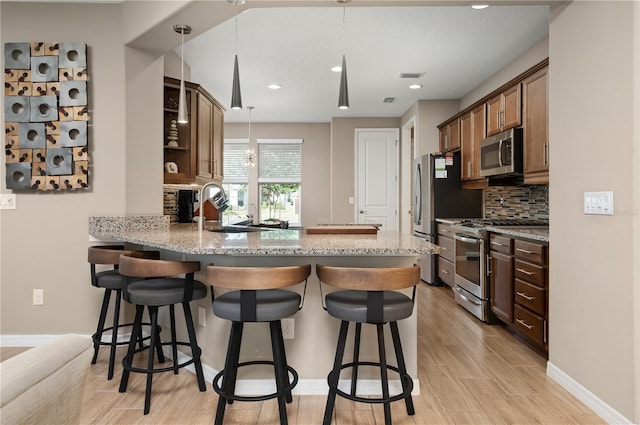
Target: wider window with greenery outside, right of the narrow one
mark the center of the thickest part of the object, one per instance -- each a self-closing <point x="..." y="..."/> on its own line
<point x="279" y="179"/>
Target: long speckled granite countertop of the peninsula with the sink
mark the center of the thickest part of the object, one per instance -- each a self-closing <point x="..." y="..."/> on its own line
<point x="157" y="232"/>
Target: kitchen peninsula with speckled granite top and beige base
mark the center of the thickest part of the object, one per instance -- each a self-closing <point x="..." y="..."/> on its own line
<point x="311" y="350"/>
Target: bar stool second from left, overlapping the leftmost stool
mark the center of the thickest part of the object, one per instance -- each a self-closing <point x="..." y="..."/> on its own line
<point x="158" y="289"/>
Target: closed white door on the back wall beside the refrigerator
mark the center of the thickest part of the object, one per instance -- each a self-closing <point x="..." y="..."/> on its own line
<point x="377" y="177"/>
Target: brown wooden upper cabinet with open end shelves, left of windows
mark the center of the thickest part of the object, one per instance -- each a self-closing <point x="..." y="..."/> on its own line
<point x="198" y="154"/>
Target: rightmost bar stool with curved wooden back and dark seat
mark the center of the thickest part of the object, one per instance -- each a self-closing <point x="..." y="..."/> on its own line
<point x="369" y="295"/>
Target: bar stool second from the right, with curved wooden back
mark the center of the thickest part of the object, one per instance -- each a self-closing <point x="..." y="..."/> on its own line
<point x="256" y="296"/>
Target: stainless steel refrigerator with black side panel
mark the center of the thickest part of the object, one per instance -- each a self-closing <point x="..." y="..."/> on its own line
<point x="438" y="194"/>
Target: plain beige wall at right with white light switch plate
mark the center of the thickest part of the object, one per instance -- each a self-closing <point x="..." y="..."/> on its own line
<point x="594" y="147"/>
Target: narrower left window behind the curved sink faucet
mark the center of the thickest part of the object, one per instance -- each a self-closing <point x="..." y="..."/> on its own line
<point x="236" y="179"/>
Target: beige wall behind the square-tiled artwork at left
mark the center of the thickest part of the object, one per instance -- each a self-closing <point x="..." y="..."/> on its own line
<point x="44" y="241"/>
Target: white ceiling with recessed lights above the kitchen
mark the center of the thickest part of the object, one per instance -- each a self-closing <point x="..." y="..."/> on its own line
<point x="455" y="47"/>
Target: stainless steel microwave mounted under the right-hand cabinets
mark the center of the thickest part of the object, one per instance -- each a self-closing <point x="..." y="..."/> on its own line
<point x="501" y="154"/>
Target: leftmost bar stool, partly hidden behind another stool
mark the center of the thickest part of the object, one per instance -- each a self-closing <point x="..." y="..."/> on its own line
<point x="110" y="280"/>
